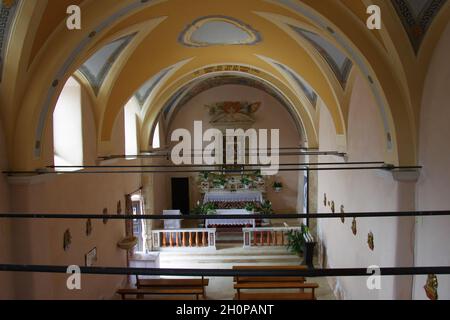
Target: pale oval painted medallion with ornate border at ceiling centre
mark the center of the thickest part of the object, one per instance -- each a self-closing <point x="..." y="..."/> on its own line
<point x="218" y="30"/>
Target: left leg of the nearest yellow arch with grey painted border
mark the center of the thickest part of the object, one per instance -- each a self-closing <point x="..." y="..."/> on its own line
<point x="48" y="72"/>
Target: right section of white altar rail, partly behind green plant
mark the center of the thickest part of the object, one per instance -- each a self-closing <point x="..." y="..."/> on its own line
<point x="269" y="236"/>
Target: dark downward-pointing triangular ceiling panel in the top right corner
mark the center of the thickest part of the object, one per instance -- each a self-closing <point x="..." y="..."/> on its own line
<point x="417" y="16"/>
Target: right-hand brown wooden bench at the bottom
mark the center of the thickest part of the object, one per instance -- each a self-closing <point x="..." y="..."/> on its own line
<point x="278" y="285"/>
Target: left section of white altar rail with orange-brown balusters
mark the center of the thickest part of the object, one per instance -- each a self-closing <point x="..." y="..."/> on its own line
<point x="184" y="238"/>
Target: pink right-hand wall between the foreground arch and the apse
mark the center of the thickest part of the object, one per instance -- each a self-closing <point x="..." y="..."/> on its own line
<point x="364" y="191"/>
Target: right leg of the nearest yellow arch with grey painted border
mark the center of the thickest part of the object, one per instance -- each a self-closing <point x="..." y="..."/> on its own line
<point x="371" y="58"/>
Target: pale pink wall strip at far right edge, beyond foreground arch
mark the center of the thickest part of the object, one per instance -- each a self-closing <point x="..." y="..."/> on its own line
<point x="433" y="188"/>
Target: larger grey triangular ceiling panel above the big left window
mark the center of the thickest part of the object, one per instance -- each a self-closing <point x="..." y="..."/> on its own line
<point x="97" y="67"/>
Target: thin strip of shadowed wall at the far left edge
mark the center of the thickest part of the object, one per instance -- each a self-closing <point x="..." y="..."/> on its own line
<point x="6" y="288"/>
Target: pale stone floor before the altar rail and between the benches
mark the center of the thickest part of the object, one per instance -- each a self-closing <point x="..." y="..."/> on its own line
<point x="228" y="255"/>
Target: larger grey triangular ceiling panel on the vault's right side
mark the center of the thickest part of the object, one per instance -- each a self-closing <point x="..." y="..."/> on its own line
<point x="335" y="58"/>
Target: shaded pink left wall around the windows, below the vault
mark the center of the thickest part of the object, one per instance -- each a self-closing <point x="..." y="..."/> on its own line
<point x="41" y="242"/>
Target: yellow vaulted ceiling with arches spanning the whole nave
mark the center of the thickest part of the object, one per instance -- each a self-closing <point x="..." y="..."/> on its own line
<point x="51" y="55"/>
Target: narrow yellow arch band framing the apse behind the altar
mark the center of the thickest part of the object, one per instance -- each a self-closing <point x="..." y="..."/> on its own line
<point x="305" y="117"/>
